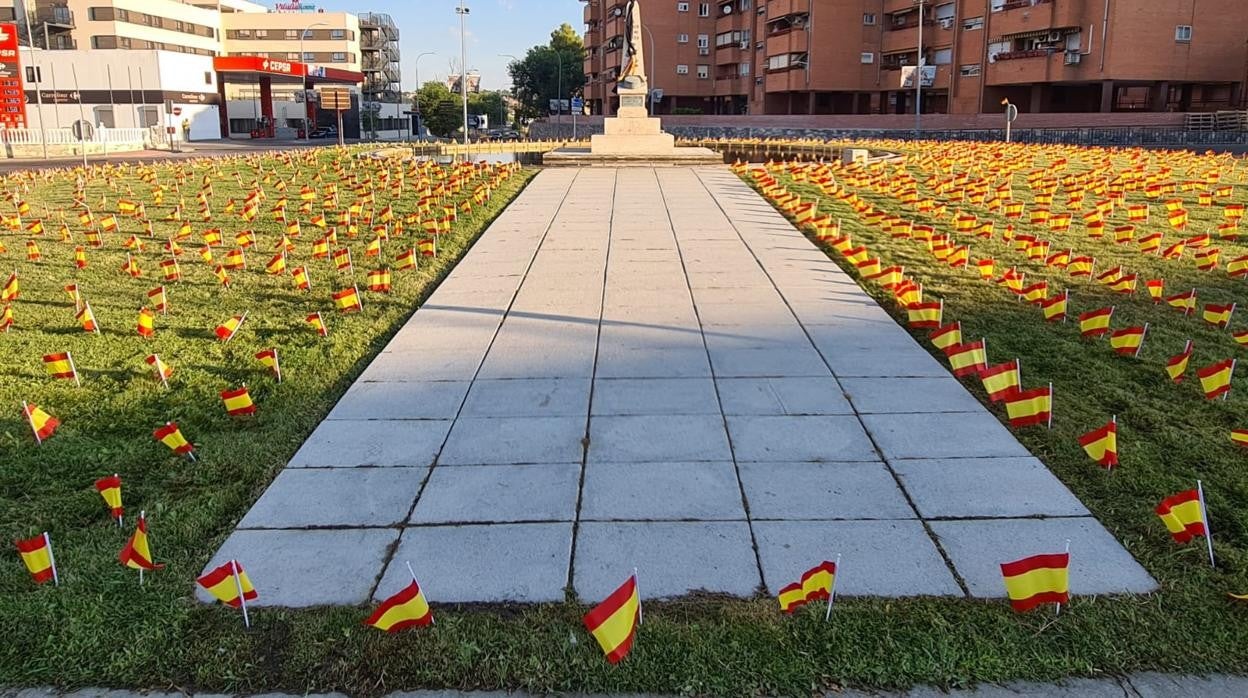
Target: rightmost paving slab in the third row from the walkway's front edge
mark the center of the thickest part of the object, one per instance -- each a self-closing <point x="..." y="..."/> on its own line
<point x="962" y="435"/>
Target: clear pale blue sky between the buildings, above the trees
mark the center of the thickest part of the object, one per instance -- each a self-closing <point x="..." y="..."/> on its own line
<point x="495" y="27"/>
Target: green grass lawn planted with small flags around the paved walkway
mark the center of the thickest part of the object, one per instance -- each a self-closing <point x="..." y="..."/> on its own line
<point x="99" y="629"/>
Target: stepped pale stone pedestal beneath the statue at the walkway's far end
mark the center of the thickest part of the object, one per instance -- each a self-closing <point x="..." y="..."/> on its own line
<point x="633" y="138"/>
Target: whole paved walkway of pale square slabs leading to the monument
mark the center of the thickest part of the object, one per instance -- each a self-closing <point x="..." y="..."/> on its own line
<point x="653" y="369"/>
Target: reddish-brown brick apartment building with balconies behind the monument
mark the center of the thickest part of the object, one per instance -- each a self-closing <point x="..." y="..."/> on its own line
<point x="852" y="57"/>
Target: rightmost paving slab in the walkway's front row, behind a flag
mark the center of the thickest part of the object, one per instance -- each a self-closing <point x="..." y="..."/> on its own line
<point x="1099" y="564"/>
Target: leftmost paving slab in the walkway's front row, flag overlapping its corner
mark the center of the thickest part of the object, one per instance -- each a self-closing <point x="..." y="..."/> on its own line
<point x="301" y="569"/>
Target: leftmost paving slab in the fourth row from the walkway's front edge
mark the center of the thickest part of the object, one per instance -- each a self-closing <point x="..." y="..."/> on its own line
<point x="436" y="400"/>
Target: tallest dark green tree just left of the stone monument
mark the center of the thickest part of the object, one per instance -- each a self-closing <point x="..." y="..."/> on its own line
<point x="551" y="72"/>
